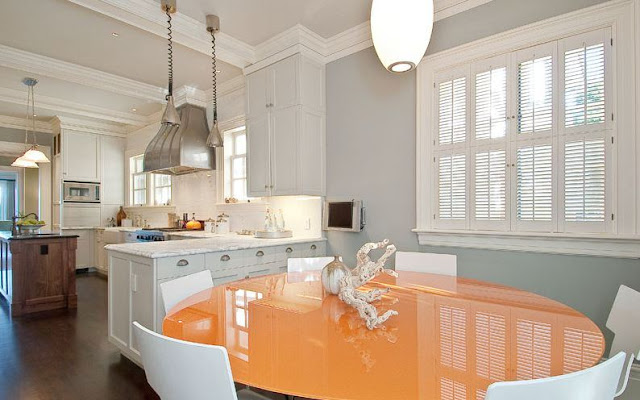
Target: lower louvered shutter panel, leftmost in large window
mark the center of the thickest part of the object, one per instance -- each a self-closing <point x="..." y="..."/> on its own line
<point x="452" y="187"/>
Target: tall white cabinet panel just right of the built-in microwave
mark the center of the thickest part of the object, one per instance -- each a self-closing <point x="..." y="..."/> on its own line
<point x="112" y="167"/>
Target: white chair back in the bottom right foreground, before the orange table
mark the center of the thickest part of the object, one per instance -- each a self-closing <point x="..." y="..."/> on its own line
<point x="596" y="383"/>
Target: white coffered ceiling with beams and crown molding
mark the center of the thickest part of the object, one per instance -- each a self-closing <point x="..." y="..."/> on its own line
<point x="106" y="60"/>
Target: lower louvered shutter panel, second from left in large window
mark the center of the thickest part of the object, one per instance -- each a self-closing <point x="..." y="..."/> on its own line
<point x="490" y="189"/>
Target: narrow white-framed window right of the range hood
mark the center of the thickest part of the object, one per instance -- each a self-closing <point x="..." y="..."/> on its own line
<point x="235" y="163"/>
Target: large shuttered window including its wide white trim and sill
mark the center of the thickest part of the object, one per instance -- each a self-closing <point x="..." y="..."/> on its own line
<point x="521" y="140"/>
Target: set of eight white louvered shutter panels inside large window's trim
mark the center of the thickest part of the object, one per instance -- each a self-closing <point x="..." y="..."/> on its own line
<point x="522" y="141"/>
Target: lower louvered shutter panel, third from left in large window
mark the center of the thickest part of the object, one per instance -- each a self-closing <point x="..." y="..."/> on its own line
<point x="534" y="195"/>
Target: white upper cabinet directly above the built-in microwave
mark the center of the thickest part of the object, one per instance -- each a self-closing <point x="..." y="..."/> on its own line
<point x="80" y="155"/>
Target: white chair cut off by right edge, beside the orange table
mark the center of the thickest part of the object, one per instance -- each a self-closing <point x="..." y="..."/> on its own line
<point x="624" y="322"/>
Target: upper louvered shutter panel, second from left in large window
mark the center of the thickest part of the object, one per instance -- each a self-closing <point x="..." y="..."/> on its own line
<point x="491" y="104"/>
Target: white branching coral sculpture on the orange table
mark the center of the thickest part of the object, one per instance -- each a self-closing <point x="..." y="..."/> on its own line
<point x="365" y="271"/>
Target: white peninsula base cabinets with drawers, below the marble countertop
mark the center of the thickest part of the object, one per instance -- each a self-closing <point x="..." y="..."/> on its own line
<point x="134" y="282"/>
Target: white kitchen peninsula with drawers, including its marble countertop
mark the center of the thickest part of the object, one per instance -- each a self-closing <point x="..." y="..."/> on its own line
<point x="136" y="271"/>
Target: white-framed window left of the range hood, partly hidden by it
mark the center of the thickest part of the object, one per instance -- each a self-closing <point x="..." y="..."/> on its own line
<point x="148" y="189"/>
